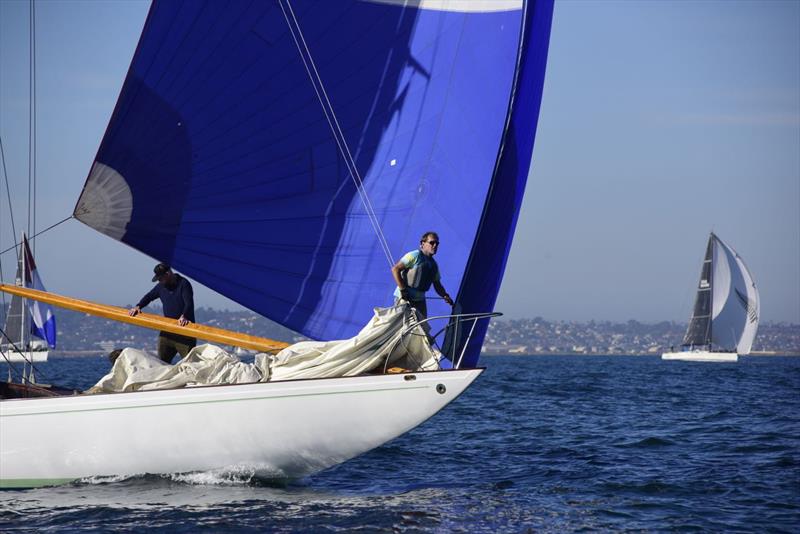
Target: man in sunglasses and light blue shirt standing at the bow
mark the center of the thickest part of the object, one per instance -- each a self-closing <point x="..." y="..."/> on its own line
<point x="416" y="271"/>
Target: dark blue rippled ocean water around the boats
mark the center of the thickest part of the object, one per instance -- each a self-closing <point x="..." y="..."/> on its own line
<point x="543" y="443"/>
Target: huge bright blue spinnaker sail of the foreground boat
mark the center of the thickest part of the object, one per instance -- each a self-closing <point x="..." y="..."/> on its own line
<point x="287" y="153"/>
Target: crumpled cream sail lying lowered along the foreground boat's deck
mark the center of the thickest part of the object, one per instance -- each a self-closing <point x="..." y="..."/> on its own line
<point x="385" y="340"/>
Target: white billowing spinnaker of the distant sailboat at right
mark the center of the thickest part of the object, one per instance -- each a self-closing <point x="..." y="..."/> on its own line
<point x="736" y="306"/>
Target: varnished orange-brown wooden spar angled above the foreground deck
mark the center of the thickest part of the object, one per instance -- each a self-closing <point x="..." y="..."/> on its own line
<point x="148" y="320"/>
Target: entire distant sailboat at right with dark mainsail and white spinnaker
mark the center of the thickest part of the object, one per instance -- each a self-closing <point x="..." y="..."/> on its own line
<point x="726" y="309"/>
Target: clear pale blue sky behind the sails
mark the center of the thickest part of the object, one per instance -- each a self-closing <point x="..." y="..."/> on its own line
<point x="660" y="122"/>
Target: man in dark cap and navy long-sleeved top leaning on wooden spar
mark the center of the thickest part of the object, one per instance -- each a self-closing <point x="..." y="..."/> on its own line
<point x="177" y="299"/>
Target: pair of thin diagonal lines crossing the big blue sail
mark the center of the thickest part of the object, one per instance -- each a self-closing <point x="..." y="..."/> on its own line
<point x="333" y="122"/>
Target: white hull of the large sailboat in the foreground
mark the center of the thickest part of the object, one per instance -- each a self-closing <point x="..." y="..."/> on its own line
<point x="277" y="430"/>
